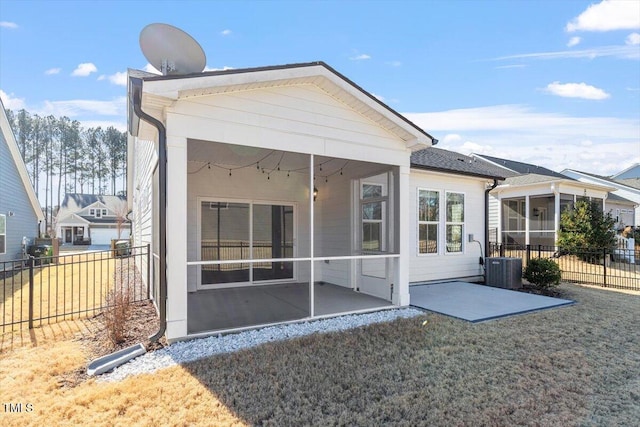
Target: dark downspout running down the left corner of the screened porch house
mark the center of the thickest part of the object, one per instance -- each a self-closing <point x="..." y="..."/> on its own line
<point x="162" y="208"/>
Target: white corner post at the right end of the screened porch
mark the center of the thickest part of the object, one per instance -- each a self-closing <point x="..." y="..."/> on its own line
<point x="401" y="279"/>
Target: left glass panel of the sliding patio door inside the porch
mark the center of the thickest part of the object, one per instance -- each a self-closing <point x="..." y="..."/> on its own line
<point x="225" y="236"/>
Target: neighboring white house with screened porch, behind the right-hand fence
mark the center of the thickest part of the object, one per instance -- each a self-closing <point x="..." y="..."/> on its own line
<point x="525" y="209"/>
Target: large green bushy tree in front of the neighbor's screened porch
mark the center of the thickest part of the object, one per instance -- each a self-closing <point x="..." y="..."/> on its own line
<point x="586" y="227"/>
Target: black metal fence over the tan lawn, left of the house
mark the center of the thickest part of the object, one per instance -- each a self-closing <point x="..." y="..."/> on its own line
<point x="34" y="291"/>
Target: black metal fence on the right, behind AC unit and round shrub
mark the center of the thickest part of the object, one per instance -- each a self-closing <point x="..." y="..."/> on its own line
<point x="617" y="268"/>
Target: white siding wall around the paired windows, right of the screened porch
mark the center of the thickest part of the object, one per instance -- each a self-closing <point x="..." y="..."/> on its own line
<point x="431" y="267"/>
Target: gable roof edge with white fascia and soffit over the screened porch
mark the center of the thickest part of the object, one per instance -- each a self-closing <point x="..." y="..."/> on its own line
<point x="173" y="87"/>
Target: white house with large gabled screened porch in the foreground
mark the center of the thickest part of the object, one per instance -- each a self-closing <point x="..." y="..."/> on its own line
<point x="292" y="186"/>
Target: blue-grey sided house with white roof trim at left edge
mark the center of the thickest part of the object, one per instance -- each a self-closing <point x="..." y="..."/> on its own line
<point x="20" y="212"/>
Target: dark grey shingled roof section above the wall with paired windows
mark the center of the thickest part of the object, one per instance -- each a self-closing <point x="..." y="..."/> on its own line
<point x="440" y="160"/>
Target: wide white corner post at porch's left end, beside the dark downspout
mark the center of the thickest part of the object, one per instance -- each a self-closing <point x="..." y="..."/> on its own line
<point x="176" y="234"/>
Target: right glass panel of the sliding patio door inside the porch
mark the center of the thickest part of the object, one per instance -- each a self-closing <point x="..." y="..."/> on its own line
<point x="272" y="238"/>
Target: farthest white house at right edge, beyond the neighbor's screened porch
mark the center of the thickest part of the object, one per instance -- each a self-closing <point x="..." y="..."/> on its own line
<point x="623" y="205"/>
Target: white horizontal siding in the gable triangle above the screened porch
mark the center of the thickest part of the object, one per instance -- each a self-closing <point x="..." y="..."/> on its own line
<point x="302" y="119"/>
